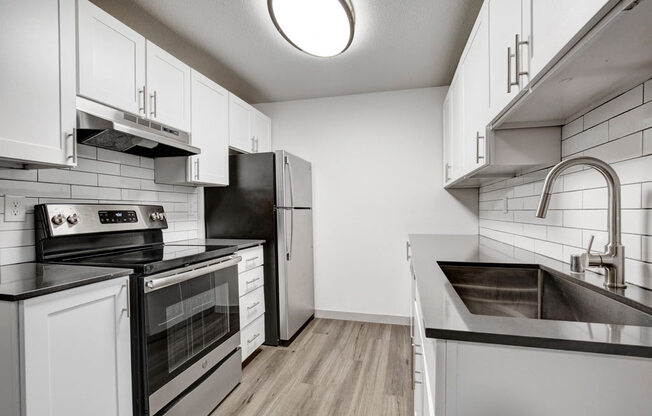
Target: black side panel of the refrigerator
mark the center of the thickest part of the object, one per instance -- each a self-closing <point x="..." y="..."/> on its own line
<point x="246" y="209"/>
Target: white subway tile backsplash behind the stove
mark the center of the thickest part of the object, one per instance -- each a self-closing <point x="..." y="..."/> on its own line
<point x="99" y="181"/>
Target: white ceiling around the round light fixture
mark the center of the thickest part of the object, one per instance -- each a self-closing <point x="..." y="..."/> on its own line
<point x="398" y="44"/>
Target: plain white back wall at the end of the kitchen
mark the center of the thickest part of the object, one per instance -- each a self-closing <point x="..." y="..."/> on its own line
<point x="376" y="177"/>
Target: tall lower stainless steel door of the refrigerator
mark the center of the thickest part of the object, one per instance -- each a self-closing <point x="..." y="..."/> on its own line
<point x="296" y="273"/>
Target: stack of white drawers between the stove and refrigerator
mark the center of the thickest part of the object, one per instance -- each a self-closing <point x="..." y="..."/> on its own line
<point x="252" y="300"/>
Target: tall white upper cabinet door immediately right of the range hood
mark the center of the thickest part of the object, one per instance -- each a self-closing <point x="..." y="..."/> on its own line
<point x="210" y="131"/>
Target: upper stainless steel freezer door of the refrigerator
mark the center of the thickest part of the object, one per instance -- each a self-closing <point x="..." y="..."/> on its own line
<point x="294" y="181"/>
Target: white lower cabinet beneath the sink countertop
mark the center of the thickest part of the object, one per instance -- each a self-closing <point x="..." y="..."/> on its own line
<point x="455" y="378"/>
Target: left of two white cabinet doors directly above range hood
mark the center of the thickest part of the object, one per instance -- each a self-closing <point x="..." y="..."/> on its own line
<point x="111" y="60"/>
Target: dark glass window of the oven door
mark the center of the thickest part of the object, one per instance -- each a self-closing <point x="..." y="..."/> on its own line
<point x="187" y="320"/>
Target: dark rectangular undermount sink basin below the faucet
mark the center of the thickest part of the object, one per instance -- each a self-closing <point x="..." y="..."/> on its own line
<point x="533" y="293"/>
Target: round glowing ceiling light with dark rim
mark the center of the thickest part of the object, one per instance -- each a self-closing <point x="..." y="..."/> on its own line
<point x="318" y="27"/>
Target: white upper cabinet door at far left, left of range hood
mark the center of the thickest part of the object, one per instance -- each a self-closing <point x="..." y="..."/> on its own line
<point x="38" y="73"/>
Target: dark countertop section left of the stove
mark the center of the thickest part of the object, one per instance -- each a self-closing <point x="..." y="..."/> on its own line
<point x="29" y="280"/>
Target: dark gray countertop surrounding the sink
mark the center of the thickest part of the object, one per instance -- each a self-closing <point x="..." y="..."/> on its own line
<point x="446" y="317"/>
